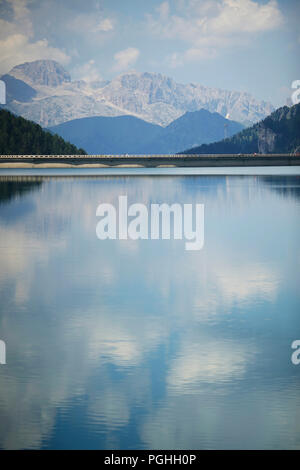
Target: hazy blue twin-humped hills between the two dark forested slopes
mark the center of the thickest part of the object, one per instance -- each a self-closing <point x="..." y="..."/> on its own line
<point x="128" y="134"/>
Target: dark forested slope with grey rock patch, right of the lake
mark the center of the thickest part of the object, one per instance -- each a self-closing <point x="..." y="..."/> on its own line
<point x="277" y="133"/>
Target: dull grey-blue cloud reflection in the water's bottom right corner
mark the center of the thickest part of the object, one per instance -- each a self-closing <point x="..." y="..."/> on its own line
<point x="238" y="419"/>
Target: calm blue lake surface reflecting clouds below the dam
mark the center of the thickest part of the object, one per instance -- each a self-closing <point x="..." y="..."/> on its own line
<point x="142" y="344"/>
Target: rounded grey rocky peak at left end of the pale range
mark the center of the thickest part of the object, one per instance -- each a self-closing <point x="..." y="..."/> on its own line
<point x="41" y="72"/>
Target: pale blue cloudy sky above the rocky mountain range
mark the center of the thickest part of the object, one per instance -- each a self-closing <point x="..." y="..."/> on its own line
<point x="246" y="45"/>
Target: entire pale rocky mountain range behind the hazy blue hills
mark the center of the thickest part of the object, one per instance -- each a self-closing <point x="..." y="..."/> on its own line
<point x="148" y="96"/>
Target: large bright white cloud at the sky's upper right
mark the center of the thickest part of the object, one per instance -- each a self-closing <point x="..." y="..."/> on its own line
<point x="213" y="25"/>
